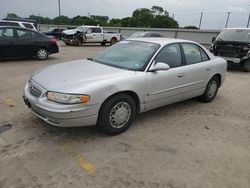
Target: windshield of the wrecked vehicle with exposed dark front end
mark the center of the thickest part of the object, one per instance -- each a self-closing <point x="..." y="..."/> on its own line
<point x="238" y="35"/>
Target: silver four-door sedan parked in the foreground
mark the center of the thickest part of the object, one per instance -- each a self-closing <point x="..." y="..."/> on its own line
<point x="131" y="77"/>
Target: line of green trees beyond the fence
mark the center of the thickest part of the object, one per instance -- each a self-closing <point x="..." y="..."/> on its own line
<point x="156" y="17"/>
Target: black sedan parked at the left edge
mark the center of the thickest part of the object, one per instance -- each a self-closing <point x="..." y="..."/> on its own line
<point x="21" y="42"/>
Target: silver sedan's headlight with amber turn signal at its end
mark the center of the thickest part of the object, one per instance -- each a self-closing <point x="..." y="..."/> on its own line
<point x="67" y="98"/>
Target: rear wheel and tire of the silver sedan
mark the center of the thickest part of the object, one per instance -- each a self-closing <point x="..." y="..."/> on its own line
<point x="211" y="90"/>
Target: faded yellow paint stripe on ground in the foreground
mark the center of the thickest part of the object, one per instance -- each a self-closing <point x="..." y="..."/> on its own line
<point x="84" y="163"/>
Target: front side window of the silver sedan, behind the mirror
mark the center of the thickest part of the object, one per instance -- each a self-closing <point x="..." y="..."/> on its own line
<point x="170" y="55"/>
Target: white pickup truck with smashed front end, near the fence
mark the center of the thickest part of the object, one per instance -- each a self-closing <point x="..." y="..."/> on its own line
<point x="89" y="34"/>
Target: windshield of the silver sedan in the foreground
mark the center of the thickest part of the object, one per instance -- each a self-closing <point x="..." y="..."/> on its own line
<point x="130" y="55"/>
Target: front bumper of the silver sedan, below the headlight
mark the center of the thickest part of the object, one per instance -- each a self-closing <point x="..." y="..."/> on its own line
<point x="60" y="115"/>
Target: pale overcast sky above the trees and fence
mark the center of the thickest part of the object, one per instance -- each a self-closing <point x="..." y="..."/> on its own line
<point x="185" y="12"/>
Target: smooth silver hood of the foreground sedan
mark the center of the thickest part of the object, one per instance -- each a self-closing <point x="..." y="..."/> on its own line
<point x="72" y="76"/>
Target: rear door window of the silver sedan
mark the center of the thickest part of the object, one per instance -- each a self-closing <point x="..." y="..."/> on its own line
<point x="192" y="53"/>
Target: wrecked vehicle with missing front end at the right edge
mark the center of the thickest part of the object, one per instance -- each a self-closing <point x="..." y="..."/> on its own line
<point x="233" y="44"/>
